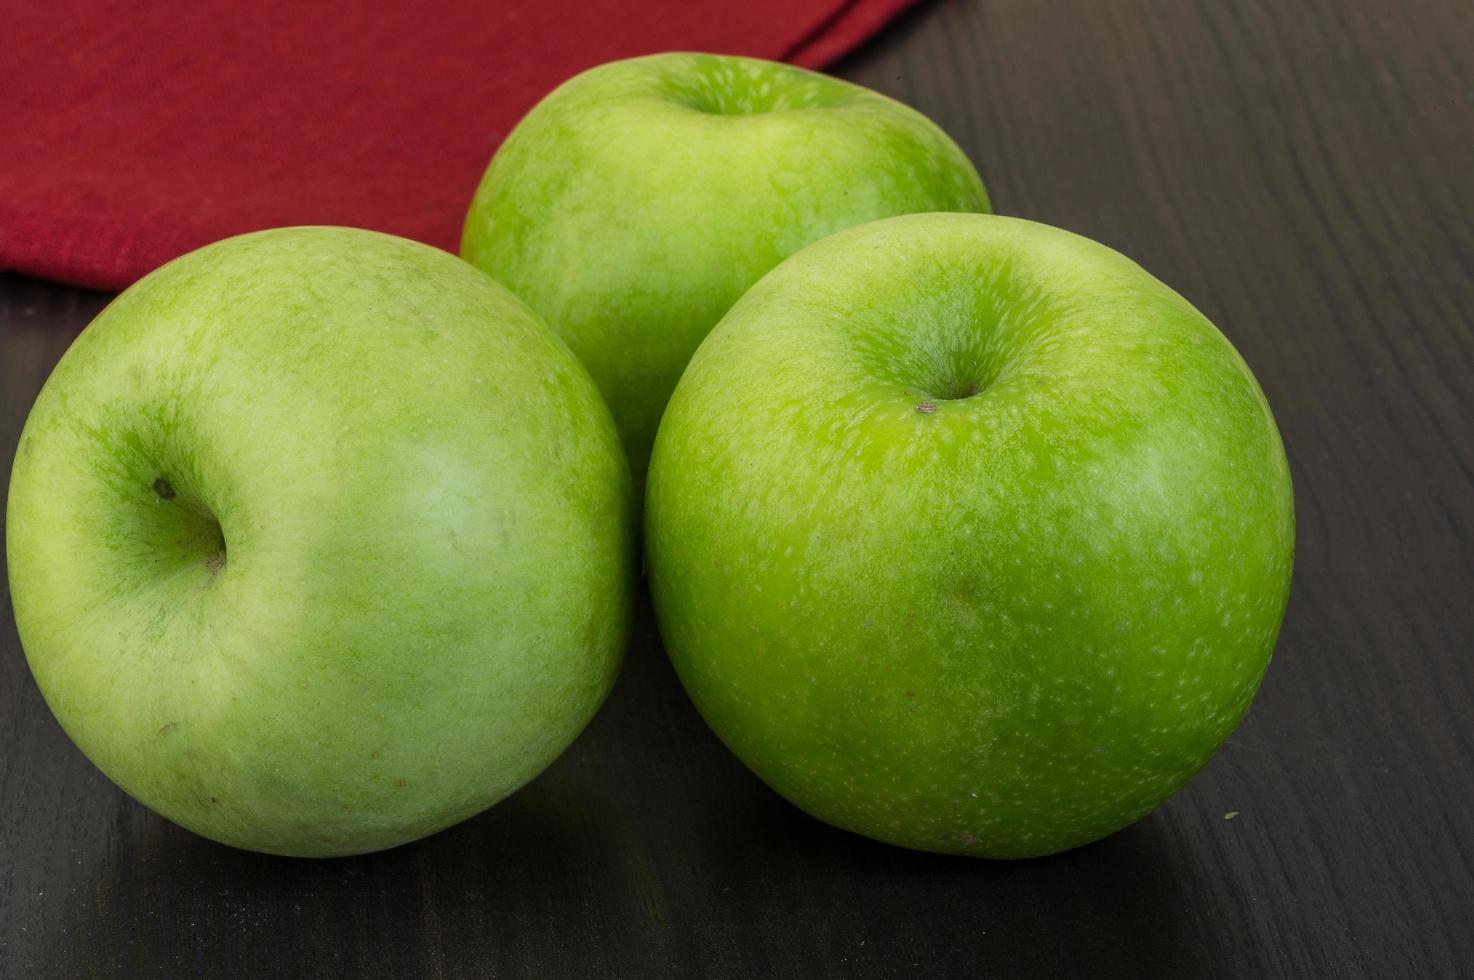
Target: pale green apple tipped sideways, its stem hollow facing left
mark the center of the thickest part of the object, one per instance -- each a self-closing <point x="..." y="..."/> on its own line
<point x="319" y="543"/>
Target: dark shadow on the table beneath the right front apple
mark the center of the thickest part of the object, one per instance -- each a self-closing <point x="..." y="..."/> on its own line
<point x="1118" y="909"/>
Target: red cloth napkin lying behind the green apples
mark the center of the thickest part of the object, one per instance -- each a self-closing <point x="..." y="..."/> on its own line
<point x="135" y="132"/>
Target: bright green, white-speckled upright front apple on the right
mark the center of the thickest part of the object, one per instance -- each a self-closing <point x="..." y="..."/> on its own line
<point x="997" y="624"/>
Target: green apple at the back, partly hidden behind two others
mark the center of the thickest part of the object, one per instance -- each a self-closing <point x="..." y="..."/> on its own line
<point x="639" y="201"/>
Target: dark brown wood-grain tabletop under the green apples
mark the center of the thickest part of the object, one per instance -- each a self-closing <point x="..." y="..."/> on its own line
<point x="1305" y="175"/>
